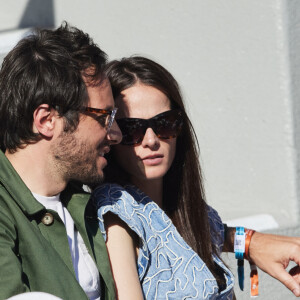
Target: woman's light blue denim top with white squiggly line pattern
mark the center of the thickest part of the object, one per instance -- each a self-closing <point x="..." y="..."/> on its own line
<point x="168" y="268"/>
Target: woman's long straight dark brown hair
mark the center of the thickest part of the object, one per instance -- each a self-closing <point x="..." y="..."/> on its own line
<point x="183" y="191"/>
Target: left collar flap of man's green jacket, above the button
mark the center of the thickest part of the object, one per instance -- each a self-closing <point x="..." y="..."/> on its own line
<point x="18" y="190"/>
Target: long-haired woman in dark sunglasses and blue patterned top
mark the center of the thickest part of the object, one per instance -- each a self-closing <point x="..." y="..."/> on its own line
<point x="159" y="156"/>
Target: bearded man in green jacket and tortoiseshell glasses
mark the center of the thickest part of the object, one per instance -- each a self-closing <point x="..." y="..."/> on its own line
<point x="56" y="125"/>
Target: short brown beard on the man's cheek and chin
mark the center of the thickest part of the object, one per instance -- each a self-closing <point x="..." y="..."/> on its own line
<point x="76" y="161"/>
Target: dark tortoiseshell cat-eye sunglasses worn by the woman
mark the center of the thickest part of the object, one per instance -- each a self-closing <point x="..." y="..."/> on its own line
<point x="166" y="125"/>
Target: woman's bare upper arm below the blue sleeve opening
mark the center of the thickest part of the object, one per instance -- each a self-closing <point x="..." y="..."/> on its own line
<point x="123" y="252"/>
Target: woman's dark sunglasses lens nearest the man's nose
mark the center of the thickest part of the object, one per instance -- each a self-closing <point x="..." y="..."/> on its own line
<point x="132" y="130"/>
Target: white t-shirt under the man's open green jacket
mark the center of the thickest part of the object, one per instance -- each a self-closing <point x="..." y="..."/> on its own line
<point x="85" y="268"/>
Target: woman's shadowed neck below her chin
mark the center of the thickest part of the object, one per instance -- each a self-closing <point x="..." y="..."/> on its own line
<point x="152" y="188"/>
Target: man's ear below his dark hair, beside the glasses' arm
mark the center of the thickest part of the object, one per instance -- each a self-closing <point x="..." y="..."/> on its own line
<point x="44" y="118"/>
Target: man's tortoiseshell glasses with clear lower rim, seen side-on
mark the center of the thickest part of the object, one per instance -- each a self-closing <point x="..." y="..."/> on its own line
<point x="103" y="116"/>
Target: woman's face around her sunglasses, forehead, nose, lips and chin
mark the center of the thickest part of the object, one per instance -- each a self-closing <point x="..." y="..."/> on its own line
<point x="152" y="158"/>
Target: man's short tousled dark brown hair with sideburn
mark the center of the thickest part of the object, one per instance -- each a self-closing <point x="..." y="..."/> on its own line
<point x="46" y="67"/>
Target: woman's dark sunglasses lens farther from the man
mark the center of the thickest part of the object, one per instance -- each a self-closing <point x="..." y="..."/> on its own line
<point x="168" y="125"/>
